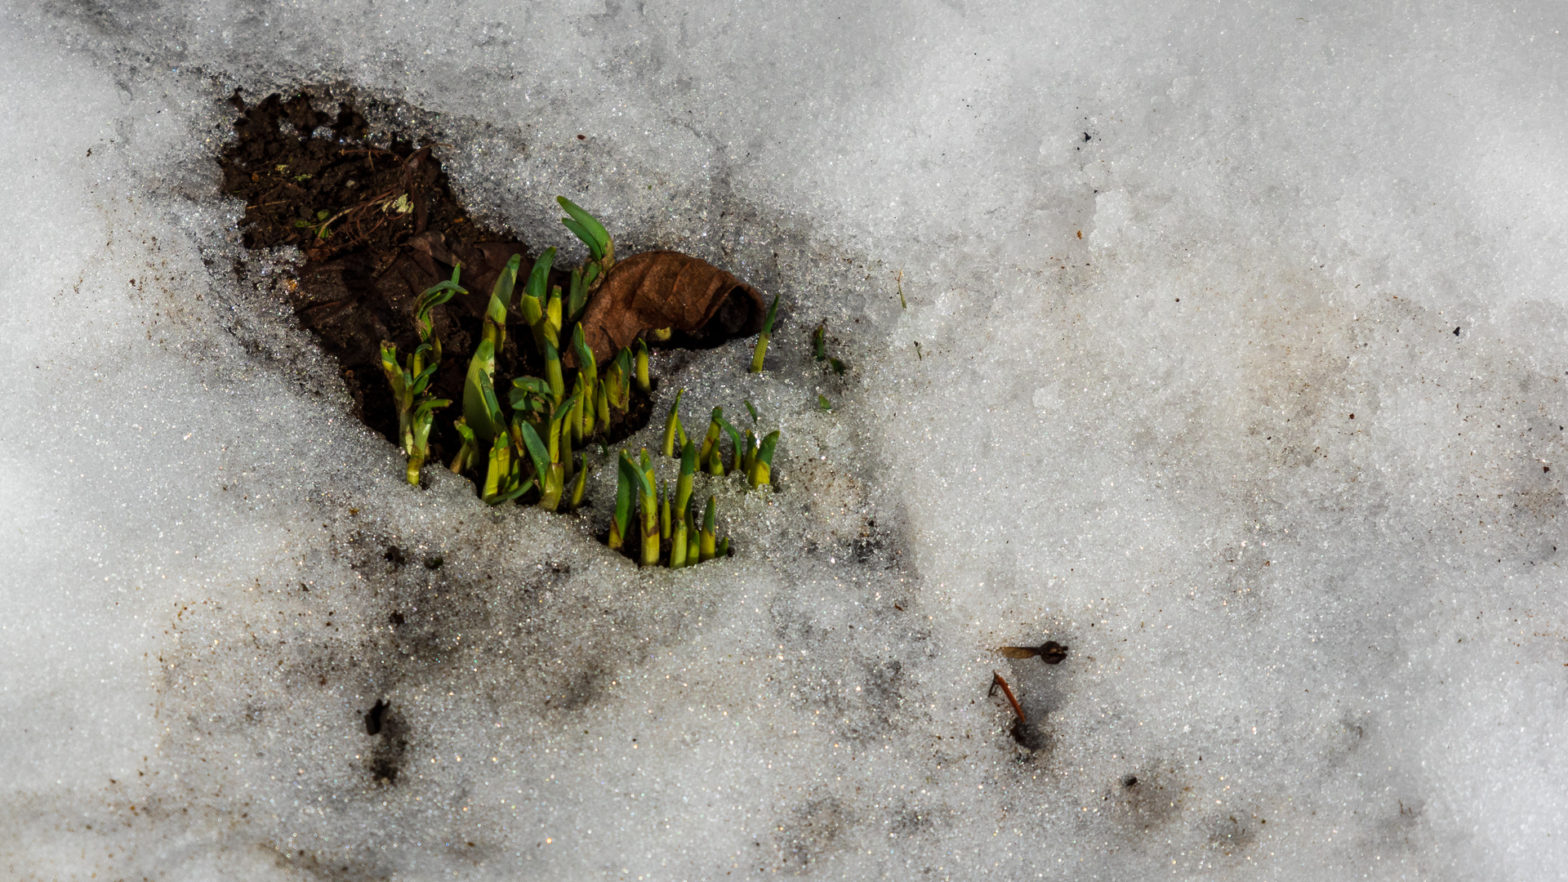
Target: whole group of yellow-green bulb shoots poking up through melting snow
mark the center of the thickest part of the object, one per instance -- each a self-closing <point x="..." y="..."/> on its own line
<point x="529" y="446"/>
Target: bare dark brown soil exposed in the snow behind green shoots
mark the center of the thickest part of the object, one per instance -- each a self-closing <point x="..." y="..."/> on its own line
<point x="379" y="225"/>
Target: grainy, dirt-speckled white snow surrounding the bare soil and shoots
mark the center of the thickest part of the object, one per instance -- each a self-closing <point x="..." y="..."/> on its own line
<point x="1233" y="359"/>
